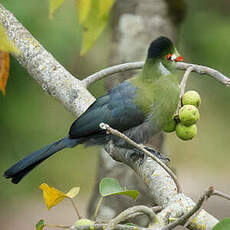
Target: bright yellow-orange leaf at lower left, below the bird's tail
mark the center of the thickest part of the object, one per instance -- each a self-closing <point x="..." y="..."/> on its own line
<point x="51" y="195"/>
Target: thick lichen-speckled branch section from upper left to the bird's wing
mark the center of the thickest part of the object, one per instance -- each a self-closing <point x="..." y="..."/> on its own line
<point x="42" y="66"/>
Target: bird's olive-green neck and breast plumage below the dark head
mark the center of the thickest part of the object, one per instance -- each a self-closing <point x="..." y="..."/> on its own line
<point x="158" y="92"/>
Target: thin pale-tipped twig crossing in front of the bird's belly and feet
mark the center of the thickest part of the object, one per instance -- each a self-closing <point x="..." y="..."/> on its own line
<point x="139" y="147"/>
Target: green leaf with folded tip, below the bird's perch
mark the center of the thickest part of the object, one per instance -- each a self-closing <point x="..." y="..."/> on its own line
<point x="111" y="186"/>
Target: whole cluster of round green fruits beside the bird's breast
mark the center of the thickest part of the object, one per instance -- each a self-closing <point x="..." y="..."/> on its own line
<point x="188" y="116"/>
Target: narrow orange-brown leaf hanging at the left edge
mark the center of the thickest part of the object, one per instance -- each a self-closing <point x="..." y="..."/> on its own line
<point x="4" y="70"/>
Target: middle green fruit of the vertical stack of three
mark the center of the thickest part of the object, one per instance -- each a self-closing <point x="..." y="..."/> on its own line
<point x="189" y="115"/>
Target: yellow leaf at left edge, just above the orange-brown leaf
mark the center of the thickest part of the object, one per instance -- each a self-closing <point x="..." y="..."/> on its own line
<point x="6" y="44"/>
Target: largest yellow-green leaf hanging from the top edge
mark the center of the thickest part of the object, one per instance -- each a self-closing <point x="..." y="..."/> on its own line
<point x="95" y="22"/>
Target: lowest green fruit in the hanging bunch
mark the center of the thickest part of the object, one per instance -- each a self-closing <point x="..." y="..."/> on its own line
<point x="186" y="132"/>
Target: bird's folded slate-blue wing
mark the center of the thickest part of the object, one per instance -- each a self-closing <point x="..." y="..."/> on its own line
<point x="117" y="108"/>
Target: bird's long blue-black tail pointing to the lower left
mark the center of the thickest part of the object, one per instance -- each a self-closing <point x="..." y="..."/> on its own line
<point x="28" y="163"/>
